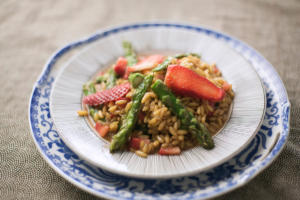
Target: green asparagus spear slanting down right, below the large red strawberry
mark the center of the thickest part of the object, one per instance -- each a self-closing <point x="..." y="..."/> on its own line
<point x="187" y="119"/>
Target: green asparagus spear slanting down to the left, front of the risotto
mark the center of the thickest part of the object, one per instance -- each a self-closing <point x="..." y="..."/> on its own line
<point x="129" y="121"/>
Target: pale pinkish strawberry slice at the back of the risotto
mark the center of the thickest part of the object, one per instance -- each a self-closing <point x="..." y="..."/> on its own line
<point x="148" y="63"/>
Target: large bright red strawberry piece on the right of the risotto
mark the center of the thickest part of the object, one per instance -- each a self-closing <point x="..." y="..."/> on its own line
<point x="186" y="82"/>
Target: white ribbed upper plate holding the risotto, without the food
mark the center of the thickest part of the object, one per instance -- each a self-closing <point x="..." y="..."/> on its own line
<point x="247" y="114"/>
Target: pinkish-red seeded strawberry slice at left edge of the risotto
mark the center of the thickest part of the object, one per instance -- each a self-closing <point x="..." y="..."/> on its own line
<point x="107" y="95"/>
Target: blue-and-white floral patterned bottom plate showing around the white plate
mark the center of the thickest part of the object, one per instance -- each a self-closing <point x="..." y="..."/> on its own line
<point x="207" y="184"/>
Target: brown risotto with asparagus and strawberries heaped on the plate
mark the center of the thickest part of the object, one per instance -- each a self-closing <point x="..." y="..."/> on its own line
<point x="157" y="104"/>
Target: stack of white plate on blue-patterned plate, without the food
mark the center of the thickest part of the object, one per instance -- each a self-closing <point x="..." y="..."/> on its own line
<point x="253" y="136"/>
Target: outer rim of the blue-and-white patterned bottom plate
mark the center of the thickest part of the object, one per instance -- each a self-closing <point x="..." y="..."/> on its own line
<point x="258" y="167"/>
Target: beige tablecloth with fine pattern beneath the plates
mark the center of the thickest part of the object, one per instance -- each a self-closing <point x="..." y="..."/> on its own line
<point x="30" y="31"/>
